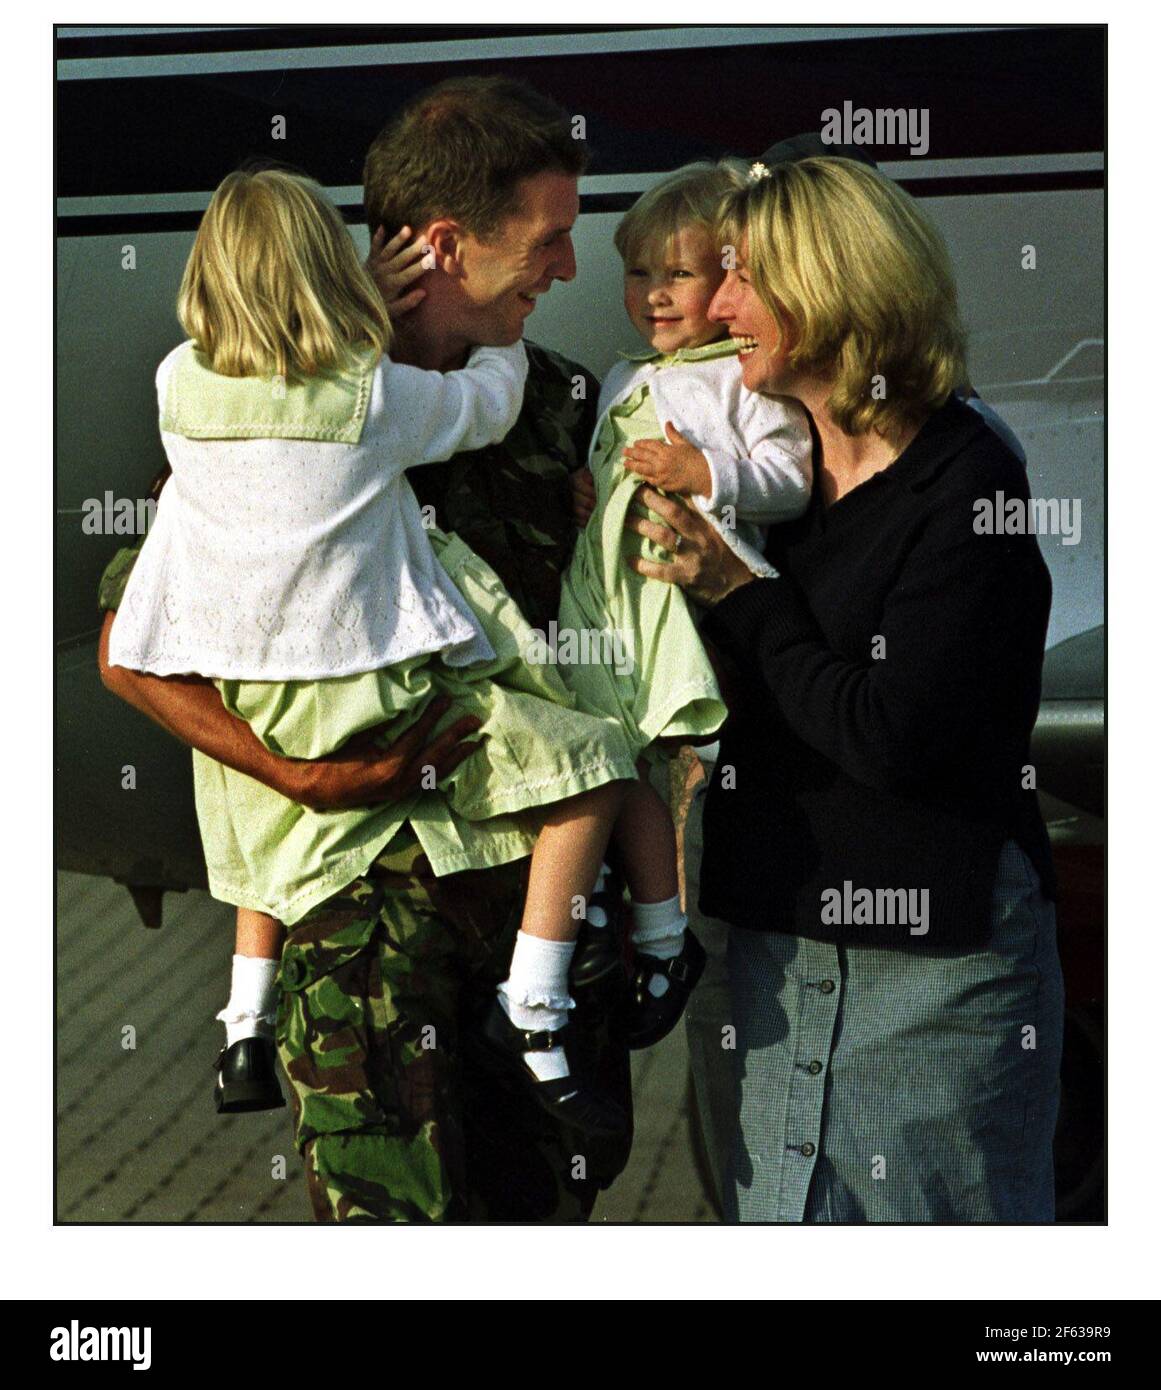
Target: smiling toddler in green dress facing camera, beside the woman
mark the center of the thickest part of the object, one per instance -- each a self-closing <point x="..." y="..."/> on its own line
<point x="675" y="416"/>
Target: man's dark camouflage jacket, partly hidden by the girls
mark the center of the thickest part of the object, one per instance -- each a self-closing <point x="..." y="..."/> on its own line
<point x="511" y="502"/>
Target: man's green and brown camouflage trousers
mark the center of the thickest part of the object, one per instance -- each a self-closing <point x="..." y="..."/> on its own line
<point x="396" y="1118"/>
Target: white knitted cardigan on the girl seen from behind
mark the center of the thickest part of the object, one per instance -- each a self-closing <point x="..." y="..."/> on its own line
<point x="302" y="558"/>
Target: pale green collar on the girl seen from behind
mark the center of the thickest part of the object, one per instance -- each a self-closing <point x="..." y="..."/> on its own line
<point x="204" y="405"/>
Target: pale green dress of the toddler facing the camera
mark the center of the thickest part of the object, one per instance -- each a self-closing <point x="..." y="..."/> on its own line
<point x="669" y="689"/>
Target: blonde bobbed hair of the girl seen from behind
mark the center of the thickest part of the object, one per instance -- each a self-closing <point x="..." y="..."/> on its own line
<point x="275" y="284"/>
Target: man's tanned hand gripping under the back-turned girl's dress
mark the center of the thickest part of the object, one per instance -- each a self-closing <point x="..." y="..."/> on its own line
<point x="364" y="775"/>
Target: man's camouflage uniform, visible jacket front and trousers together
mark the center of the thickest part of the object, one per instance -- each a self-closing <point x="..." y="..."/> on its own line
<point x="383" y="983"/>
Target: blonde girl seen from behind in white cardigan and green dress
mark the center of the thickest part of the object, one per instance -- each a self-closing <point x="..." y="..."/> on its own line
<point x="290" y="562"/>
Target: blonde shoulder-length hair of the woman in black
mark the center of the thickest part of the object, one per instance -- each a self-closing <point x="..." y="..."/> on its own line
<point x="863" y="284"/>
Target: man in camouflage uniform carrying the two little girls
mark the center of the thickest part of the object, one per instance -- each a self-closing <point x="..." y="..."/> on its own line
<point x="383" y="983"/>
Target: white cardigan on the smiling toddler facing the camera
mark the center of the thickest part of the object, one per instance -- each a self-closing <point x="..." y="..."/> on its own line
<point x="758" y="448"/>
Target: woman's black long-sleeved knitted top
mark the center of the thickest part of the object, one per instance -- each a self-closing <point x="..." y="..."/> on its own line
<point x="889" y="683"/>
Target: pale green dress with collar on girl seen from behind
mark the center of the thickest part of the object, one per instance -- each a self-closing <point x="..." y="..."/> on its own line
<point x="540" y="746"/>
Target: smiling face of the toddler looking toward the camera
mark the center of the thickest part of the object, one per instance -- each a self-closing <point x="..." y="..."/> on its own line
<point x="669" y="287"/>
